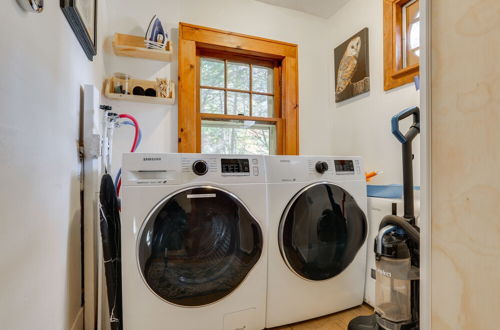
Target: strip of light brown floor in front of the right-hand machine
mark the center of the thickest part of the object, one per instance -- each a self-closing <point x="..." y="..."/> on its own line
<point x="337" y="321"/>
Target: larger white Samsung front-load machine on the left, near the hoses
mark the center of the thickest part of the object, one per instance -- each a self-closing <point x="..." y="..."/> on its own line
<point x="194" y="242"/>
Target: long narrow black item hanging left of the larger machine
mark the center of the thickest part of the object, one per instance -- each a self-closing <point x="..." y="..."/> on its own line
<point x="111" y="247"/>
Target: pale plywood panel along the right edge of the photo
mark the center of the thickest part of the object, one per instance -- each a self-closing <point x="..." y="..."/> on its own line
<point x="465" y="164"/>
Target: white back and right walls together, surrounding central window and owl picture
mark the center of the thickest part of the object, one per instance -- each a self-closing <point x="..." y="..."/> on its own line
<point x="360" y="126"/>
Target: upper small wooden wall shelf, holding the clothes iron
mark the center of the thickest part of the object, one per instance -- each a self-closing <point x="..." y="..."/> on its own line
<point x="133" y="46"/>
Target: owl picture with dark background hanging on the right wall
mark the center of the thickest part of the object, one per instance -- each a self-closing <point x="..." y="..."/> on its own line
<point x="352" y="67"/>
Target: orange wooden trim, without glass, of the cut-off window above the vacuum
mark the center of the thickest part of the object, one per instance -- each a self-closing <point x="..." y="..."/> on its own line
<point x="394" y="74"/>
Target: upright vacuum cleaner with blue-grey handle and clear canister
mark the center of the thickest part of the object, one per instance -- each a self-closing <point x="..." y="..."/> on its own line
<point x="397" y="252"/>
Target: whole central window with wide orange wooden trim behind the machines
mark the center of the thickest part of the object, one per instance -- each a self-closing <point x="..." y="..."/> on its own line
<point x="237" y="94"/>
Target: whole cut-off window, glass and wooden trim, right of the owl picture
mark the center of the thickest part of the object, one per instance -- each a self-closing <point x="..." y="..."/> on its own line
<point x="401" y="42"/>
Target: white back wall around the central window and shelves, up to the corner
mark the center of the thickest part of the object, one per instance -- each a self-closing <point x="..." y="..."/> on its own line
<point x="159" y="122"/>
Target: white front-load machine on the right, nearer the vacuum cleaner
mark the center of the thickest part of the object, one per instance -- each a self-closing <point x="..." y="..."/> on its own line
<point x="317" y="236"/>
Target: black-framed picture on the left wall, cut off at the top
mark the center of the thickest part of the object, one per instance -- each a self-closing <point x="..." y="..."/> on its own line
<point x="82" y="17"/>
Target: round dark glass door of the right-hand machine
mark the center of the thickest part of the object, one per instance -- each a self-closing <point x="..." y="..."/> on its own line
<point x="321" y="231"/>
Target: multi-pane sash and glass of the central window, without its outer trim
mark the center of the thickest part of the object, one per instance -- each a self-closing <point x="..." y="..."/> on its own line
<point x="237" y="88"/>
